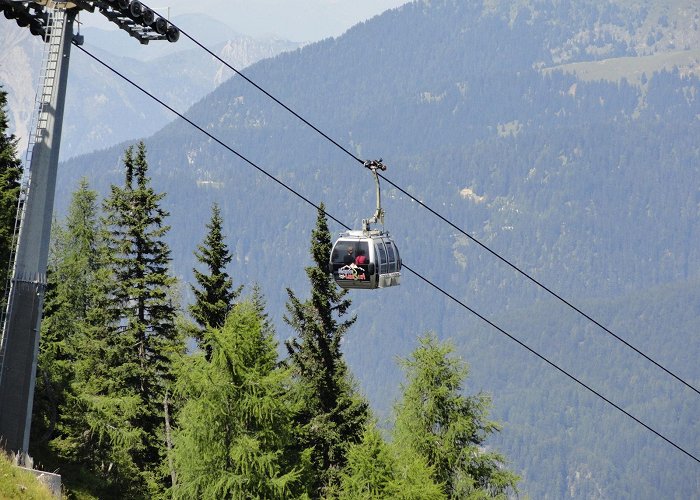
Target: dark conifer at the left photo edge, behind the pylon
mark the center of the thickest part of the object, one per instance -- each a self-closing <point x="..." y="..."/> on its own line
<point x="10" y="176"/>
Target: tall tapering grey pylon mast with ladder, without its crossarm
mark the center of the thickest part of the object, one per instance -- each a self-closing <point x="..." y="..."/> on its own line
<point x="20" y="340"/>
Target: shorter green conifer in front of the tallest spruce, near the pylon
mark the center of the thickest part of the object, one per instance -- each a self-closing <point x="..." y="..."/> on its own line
<point x="102" y="418"/>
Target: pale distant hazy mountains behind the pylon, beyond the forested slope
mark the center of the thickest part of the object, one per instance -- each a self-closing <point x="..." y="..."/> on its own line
<point x="100" y="111"/>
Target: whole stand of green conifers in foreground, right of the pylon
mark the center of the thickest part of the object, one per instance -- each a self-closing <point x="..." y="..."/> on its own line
<point x="125" y="410"/>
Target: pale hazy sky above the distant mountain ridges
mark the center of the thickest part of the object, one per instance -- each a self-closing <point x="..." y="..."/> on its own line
<point x="297" y="20"/>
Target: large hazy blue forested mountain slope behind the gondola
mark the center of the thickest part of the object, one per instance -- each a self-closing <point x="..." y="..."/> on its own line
<point x="589" y="186"/>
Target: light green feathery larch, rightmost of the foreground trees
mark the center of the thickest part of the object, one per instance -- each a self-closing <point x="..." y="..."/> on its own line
<point x="448" y="429"/>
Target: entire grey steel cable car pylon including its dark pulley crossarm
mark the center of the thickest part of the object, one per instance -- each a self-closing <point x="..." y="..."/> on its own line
<point x="19" y="343"/>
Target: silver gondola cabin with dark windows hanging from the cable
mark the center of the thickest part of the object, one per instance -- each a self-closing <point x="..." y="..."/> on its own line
<point x="365" y="259"/>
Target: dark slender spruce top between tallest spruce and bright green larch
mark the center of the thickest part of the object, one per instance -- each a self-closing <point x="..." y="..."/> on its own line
<point x="215" y="295"/>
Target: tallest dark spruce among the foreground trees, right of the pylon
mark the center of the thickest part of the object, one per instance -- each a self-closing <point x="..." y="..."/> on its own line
<point x="143" y="338"/>
